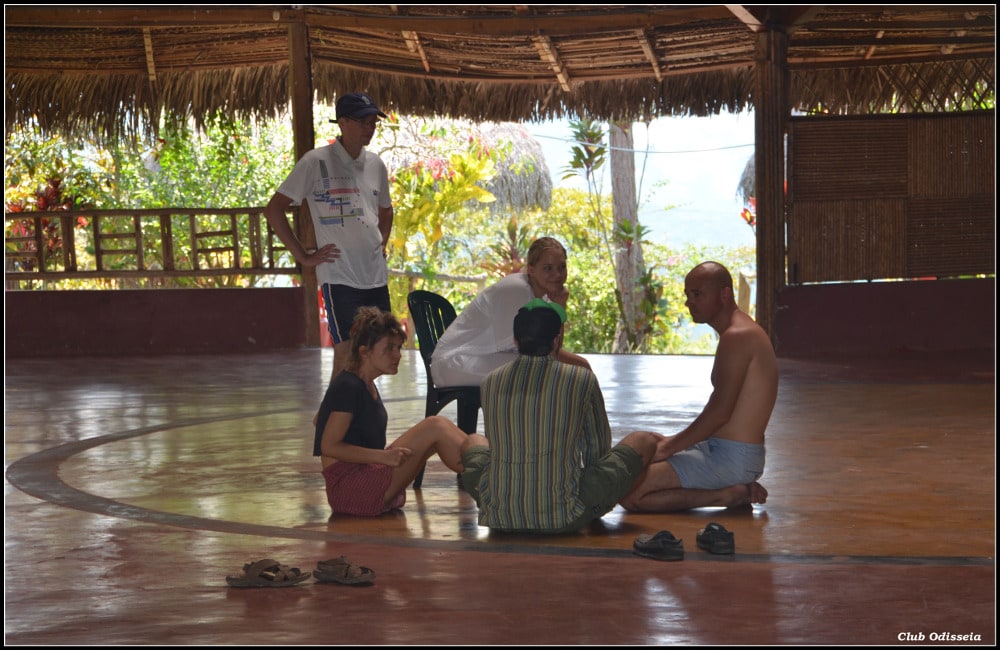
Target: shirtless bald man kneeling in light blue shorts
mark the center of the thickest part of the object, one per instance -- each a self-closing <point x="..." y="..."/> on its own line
<point x="717" y="459"/>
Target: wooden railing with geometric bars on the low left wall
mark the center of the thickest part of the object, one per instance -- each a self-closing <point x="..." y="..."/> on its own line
<point x="159" y="243"/>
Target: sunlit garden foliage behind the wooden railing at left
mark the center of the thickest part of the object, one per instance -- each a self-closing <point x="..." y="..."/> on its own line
<point x="227" y="165"/>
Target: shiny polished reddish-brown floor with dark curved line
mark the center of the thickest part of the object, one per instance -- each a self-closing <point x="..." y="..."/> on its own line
<point x="135" y="485"/>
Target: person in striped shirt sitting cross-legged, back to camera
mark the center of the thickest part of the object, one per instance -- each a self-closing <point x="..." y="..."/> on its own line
<point x="546" y="463"/>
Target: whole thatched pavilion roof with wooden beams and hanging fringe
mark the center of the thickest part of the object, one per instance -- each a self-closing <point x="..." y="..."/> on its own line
<point x="102" y="68"/>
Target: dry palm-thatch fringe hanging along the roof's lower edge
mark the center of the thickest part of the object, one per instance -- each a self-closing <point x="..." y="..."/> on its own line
<point x="129" y="105"/>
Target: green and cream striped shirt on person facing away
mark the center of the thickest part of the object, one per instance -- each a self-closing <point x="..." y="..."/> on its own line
<point x="545" y="421"/>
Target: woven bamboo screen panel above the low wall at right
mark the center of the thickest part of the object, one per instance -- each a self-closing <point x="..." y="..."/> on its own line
<point x="893" y="197"/>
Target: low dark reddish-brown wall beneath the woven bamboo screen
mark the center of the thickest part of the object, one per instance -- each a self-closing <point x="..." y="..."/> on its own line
<point x="886" y="318"/>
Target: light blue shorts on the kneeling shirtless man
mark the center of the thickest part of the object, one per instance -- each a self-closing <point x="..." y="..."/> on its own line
<point x="717" y="463"/>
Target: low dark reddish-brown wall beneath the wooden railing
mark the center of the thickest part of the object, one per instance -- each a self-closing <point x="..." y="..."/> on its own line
<point x="152" y="322"/>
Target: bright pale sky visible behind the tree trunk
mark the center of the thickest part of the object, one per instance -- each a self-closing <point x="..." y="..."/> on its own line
<point x="692" y="163"/>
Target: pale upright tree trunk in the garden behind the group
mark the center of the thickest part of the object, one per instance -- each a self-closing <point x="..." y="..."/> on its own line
<point x="629" y="263"/>
